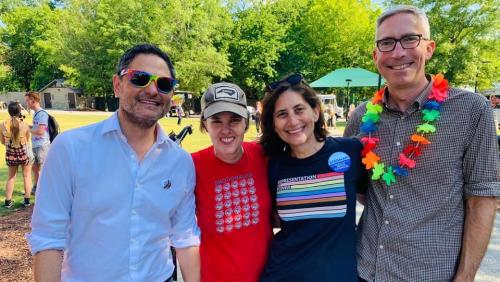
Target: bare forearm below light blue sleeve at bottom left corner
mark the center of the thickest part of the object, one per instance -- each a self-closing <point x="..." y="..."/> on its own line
<point x="47" y="266"/>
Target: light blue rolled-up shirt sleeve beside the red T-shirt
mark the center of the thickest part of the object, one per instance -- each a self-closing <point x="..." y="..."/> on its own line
<point x="185" y="231"/>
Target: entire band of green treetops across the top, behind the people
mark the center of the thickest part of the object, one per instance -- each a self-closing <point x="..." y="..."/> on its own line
<point x="248" y="42"/>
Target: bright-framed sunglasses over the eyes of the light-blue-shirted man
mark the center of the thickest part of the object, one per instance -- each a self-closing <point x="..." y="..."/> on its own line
<point x="142" y="79"/>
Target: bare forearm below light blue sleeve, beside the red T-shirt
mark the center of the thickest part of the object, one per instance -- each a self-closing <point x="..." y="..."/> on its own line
<point x="189" y="260"/>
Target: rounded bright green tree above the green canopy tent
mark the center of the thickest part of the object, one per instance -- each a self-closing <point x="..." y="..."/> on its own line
<point x="330" y="34"/>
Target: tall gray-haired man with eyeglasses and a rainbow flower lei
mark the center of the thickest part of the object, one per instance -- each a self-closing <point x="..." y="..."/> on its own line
<point x="433" y="159"/>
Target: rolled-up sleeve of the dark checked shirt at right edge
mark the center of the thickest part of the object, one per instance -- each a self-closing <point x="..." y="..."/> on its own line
<point x="481" y="159"/>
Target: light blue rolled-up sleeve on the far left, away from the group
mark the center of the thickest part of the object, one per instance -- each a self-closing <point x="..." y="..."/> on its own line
<point x="54" y="195"/>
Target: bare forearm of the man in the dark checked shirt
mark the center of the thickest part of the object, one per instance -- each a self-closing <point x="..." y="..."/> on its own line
<point x="479" y="217"/>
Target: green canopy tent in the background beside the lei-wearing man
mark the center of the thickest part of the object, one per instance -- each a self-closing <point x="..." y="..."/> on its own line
<point x="349" y="77"/>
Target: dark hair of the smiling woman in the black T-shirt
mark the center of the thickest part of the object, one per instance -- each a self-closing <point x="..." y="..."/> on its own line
<point x="271" y="142"/>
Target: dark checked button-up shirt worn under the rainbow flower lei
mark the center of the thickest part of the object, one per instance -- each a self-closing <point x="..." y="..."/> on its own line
<point x="412" y="230"/>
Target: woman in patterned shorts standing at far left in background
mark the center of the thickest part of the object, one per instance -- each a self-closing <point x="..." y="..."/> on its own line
<point x="15" y="135"/>
